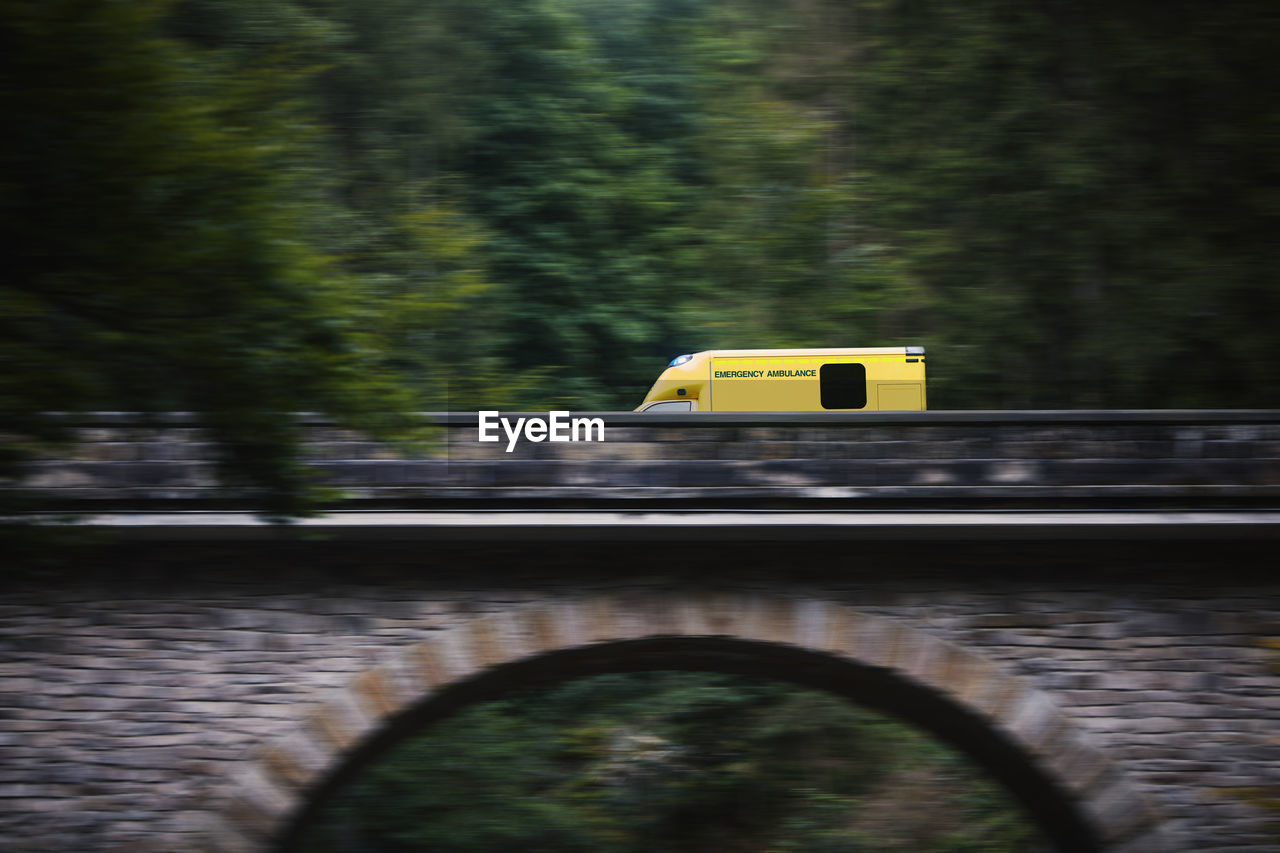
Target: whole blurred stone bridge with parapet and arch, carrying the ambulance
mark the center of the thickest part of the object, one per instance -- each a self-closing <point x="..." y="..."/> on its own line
<point x="1085" y="603"/>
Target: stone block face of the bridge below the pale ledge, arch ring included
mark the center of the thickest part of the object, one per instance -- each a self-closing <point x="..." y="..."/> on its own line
<point x="198" y="697"/>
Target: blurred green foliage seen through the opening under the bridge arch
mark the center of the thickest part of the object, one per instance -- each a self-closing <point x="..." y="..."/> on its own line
<point x="670" y="761"/>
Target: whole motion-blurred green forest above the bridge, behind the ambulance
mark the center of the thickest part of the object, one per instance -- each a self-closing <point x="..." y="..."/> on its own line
<point x="250" y="207"/>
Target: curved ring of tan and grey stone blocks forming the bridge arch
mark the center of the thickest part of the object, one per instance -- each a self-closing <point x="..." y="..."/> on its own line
<point x="1017" y="731"/>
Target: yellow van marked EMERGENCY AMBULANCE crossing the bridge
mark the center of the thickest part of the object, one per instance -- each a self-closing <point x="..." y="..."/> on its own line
<point x="828" y="380"/>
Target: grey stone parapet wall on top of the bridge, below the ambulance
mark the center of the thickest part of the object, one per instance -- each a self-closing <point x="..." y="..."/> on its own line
<point x="1173" y="457"/>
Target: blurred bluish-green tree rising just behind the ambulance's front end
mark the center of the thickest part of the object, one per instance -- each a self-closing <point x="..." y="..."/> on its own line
<point x="578" y="188"/>
